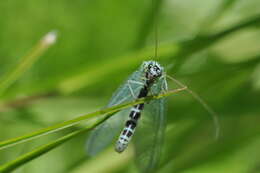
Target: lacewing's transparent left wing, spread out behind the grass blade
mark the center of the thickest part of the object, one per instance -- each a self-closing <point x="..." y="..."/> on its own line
<point x="105" y="133"/>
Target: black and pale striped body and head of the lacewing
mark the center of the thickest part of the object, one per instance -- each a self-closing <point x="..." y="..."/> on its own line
<point x="152" y="71"/>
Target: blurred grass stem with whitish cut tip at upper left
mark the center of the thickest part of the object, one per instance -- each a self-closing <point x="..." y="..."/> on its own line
<point x="26" y="62"/>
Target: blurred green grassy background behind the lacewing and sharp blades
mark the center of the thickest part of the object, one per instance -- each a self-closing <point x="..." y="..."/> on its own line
<point x="211" y="46"/>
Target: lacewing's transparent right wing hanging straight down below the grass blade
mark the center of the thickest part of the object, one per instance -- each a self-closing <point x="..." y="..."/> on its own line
<point x="149" y="136"/>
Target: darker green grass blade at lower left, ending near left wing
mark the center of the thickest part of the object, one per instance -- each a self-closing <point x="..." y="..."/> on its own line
<point x="21" y="160"/>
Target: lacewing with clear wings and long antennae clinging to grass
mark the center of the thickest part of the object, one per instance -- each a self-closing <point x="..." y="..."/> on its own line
<point x="146" y="121"/>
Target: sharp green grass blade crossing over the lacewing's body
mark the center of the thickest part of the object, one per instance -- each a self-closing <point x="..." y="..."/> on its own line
<point x="75" y="121"/>
